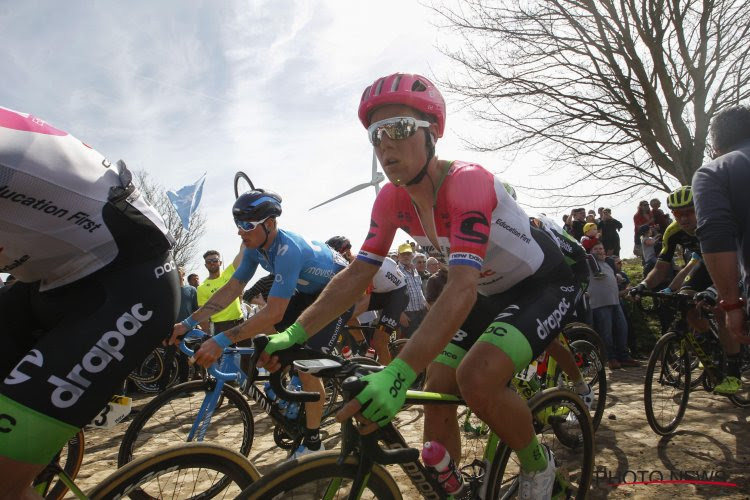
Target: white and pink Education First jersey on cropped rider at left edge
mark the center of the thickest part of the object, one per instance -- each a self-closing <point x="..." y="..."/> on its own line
<point x="53" y="188"/>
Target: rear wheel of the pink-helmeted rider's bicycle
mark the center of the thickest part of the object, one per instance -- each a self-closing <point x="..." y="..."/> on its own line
<point x="503" y="472"/>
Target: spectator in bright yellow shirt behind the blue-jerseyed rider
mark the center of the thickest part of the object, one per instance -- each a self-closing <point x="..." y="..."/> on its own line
<point x="232" y="314"/>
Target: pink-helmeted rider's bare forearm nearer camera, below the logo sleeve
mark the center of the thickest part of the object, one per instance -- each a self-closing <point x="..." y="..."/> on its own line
<point x="443" y="319"/>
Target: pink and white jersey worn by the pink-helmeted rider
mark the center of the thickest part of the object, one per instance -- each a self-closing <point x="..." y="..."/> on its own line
<point x="478" y="224"/>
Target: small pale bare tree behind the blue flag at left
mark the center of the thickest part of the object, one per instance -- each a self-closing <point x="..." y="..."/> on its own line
<point x="186" y="241"/>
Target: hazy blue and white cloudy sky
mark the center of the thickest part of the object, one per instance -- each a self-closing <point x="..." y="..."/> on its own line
<point x="179" y="88"/>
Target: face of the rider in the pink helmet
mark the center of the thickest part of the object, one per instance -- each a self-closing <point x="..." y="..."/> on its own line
<point x="401" y="159"/>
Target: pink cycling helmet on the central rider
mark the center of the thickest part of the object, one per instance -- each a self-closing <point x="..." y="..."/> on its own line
<point x="414" y="91"/>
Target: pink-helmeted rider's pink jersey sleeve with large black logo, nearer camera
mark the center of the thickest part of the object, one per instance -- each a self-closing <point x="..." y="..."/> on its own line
<point x="471" y="199"/>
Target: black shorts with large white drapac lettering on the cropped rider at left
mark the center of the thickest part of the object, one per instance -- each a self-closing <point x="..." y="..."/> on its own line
<point x="66" y="351"/>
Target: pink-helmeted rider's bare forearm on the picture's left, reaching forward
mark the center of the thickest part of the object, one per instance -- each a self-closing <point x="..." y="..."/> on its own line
<point x="337" y="296"/>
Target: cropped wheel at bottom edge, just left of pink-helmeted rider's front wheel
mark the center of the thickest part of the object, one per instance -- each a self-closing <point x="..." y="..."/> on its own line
<point x="152" y="476"/>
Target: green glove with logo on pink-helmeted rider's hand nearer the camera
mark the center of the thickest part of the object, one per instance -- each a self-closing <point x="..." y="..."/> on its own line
<point x="385" y="392"/>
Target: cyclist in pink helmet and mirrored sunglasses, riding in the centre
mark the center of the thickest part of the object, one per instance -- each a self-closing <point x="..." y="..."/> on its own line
<point x="507" y="296"/>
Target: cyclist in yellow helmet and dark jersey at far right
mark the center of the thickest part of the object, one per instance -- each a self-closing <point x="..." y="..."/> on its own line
<point x="693" y="278"/>
